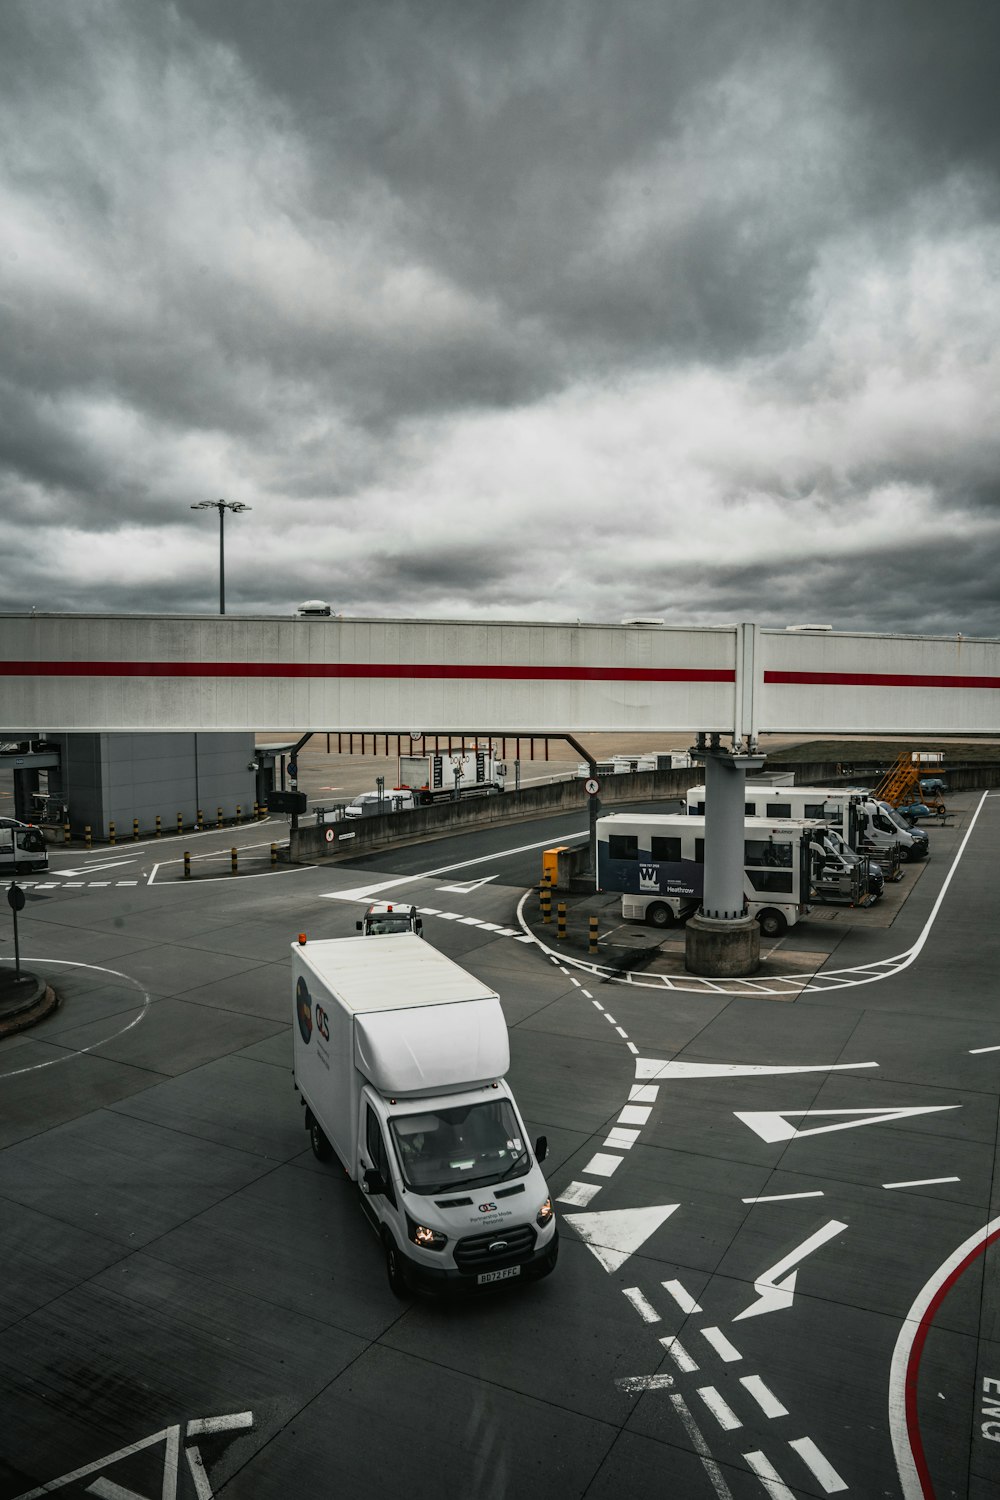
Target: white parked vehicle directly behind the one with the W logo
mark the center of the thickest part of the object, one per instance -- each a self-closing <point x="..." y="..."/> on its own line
<point x="864" y="823"/>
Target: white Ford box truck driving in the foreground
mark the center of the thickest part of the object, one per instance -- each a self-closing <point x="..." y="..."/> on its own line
<point x="401" y="1061"/>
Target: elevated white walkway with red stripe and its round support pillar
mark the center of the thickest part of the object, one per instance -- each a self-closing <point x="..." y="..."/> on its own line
<point x="142" y="674"/>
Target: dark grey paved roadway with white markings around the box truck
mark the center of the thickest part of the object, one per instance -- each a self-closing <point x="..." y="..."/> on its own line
<point x="774" y="1274"/>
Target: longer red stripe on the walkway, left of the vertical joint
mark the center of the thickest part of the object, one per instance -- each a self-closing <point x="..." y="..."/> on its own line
<point x="371" y="670"/>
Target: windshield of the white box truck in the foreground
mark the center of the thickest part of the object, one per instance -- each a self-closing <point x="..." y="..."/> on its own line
<point x="461" y="1147"/>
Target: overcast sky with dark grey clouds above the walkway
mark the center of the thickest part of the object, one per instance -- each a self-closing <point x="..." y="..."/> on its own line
<point x="504" y="308"/>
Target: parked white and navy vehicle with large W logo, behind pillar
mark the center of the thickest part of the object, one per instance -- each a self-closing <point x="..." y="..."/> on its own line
<point x="657" y="862"/>
